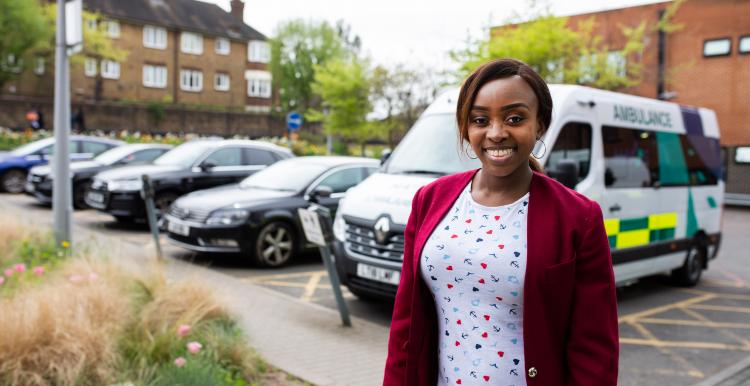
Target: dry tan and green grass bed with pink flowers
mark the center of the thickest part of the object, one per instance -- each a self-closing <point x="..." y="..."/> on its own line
<point x="85" y="321"/>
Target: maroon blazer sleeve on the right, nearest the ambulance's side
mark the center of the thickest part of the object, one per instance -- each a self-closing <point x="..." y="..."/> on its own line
<point x="593" y="344"/>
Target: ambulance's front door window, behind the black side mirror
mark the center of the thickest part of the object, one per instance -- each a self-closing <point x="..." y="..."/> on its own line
<point x="573" y="143"/>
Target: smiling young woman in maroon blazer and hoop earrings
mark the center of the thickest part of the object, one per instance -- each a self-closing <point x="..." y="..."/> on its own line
<point x="507" y="275"/>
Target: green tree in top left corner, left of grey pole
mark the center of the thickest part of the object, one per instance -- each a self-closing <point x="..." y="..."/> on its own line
<point x="22" y="27"/>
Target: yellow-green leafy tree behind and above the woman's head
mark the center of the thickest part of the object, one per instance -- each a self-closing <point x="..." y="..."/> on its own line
<point x="565" y="54"/>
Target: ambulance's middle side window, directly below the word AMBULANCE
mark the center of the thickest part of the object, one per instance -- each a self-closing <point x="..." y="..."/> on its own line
<point x="630" y="157"/>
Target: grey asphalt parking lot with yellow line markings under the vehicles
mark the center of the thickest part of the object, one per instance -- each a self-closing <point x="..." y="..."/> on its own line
<point x="668" y="335"/>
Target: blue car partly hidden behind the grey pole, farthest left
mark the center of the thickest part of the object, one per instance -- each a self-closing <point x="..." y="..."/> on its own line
<point x="15" y="165"/>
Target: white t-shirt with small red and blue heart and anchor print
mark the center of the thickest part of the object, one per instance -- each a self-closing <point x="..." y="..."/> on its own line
<point x="474" y="264"/>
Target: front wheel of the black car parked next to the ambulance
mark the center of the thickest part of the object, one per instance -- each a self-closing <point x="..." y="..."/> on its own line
<point x="274" y="245"/>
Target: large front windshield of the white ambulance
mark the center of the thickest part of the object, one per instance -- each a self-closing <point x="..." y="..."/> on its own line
<point x="431" y="147"/>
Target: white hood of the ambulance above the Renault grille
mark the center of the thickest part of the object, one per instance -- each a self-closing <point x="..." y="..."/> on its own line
<point x="381" y="194"/>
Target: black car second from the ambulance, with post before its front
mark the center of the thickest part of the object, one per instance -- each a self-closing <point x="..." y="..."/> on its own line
<point x="195" y="165"/>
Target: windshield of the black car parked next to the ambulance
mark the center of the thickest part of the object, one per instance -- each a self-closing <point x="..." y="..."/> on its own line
<point x="292" y="175"/>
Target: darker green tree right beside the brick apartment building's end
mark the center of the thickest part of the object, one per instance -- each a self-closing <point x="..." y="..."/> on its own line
<point x="297" y="49"/>
